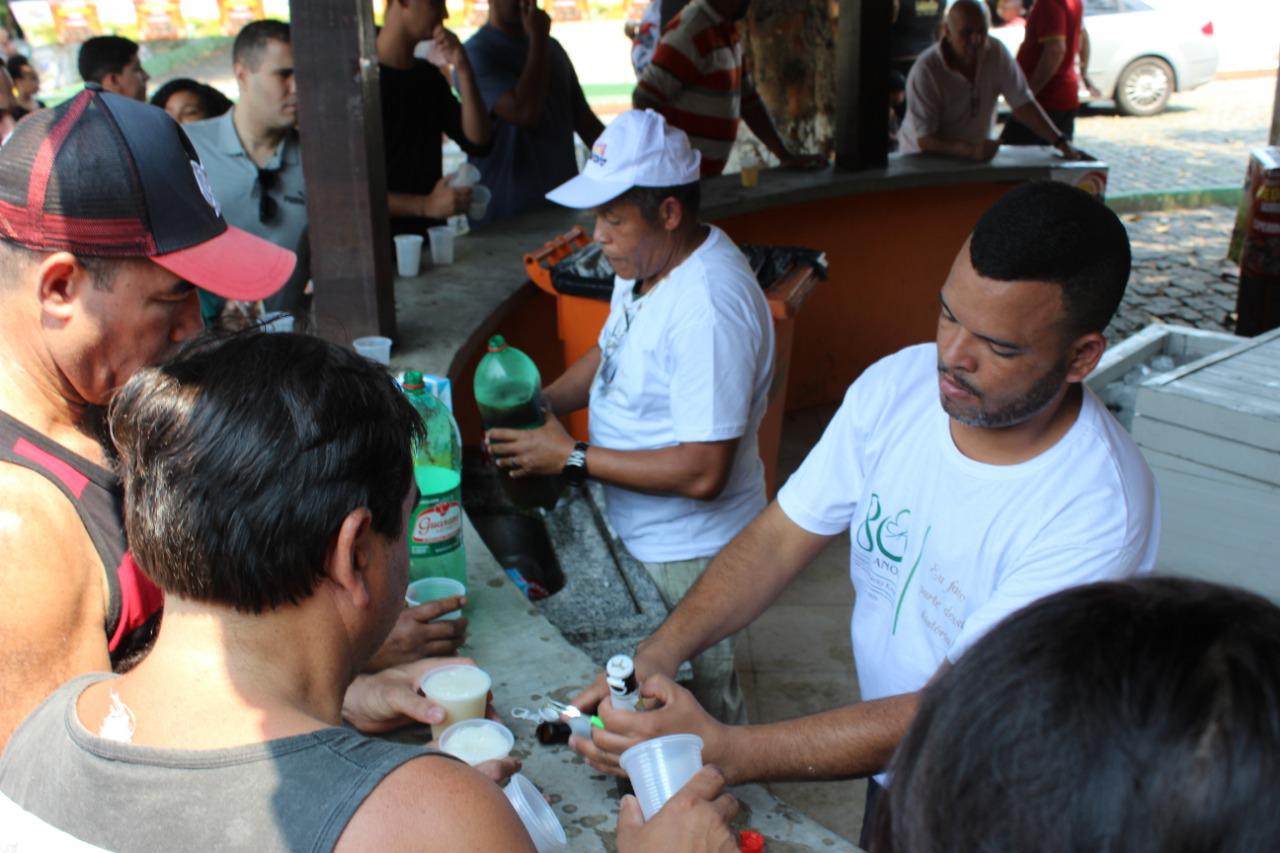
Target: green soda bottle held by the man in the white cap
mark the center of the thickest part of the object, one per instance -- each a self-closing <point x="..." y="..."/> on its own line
<point x="510" y="395"/>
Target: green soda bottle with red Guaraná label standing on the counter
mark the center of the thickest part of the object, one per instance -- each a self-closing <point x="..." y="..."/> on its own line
<point x="436" y="532"/>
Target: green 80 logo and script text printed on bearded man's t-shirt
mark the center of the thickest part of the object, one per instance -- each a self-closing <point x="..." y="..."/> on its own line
<point x="892" y="553"/>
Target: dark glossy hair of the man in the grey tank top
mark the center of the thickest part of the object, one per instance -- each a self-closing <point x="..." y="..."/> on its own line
<point x="243" y="458"/>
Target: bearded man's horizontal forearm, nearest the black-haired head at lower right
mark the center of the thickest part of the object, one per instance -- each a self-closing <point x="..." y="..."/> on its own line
<point x="847" y="743"/>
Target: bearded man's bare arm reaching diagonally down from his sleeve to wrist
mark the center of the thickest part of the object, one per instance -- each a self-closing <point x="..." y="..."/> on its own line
<point x="740" y="583"/>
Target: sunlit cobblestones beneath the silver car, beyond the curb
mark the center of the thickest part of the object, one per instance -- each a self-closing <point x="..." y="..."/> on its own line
<point x="1204" y="140"/>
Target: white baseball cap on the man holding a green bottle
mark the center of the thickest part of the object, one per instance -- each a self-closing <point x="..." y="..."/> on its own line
<point x="637" y="150"/>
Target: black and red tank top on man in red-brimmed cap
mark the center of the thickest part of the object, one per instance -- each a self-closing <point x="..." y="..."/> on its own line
<point x="135" y="603"/>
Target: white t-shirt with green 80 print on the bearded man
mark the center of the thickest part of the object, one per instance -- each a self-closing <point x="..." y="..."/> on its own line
<point x="944" y="548"/>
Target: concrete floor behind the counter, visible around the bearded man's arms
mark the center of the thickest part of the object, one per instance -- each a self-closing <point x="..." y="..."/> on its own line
<point x="797" y="658"/>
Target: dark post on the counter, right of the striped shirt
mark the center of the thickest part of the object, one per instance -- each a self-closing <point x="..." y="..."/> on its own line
<point x="862" y="84"/>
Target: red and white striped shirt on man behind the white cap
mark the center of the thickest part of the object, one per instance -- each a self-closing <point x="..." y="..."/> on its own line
<point x="698" y="83"/>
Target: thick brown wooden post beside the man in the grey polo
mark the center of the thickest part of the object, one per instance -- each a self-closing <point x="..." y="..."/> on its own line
<point x="336" y="63"/>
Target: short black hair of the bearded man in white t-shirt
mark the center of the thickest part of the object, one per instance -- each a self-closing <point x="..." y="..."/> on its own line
<point x="1055" y="234"/>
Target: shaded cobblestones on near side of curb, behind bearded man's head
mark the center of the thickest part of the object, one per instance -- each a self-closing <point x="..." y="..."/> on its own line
<point x="1181" y="273"/>
